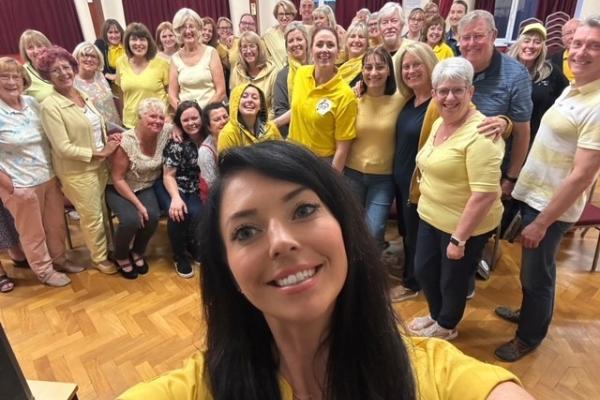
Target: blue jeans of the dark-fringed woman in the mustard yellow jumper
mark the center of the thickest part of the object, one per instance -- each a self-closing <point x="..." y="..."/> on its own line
<point x="375" y="193"/>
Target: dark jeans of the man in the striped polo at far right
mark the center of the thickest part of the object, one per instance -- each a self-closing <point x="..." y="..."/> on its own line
<point x="538" y="280"/>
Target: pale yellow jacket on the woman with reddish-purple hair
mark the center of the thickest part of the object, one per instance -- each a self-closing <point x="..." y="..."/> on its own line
<point x="70" y="134"/>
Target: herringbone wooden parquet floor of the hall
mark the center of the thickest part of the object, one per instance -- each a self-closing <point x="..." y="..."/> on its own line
<point x="106" y="334"/>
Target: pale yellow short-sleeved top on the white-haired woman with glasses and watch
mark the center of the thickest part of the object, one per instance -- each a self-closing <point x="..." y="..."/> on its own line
<point x="467" y="162"/>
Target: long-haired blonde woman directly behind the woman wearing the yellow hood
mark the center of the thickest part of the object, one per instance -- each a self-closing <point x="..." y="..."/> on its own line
<point x="255" y="67"/>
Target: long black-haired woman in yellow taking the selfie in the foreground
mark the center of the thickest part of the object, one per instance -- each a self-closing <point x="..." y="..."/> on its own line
<point x="288" y="274"/>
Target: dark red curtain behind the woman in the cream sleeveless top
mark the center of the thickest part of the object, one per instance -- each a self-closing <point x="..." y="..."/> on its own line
<point x="153" y="12"/>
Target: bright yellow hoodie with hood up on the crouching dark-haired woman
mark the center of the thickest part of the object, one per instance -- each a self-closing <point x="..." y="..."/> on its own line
<point x="236" y="134"/>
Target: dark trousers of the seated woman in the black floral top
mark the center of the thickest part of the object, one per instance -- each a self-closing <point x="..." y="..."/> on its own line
<point x="182" y="234"/>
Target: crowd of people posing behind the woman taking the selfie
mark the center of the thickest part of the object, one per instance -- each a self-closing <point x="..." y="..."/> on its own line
<point x="424" y="111"/>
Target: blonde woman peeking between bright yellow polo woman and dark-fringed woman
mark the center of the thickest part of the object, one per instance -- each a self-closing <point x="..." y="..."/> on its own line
<point x="357" y="43"/>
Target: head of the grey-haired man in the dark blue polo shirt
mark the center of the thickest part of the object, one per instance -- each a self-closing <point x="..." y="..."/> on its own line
<point x="477" y="44"/>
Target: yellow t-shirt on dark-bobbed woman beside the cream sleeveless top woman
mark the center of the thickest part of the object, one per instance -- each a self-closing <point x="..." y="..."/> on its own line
<point x="151" y="82"/>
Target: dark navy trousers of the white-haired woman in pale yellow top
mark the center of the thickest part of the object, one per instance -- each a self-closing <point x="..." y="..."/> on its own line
<point x="445" y="281"/>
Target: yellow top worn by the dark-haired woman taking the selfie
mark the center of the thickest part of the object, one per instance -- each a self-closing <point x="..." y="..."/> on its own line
<point x="442" y="372"/>
